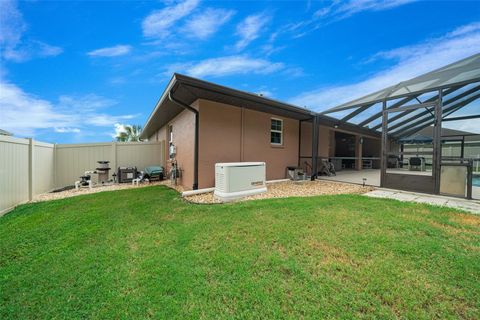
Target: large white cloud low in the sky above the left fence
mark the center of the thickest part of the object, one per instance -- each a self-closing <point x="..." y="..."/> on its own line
<point x="23" y="113"/>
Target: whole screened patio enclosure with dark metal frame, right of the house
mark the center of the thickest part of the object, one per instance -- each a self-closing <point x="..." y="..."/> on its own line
<point x="398" y="113"/>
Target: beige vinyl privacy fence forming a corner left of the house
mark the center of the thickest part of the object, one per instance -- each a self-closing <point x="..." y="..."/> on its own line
<point x="29" y="168"/>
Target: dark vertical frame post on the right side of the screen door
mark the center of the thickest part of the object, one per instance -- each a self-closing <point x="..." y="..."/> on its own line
<point x="437" y="142"/>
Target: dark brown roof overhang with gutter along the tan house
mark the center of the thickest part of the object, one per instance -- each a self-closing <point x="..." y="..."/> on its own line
<point x="188" y="90"/>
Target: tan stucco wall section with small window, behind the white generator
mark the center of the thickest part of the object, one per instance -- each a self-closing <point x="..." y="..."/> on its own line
<point x="232" y="134"/>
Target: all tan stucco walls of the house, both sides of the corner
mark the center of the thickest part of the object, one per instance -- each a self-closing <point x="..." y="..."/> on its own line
<point x="232" y="134"/>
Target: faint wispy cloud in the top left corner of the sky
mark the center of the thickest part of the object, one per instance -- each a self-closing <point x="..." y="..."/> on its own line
<point x="14" y="46"/>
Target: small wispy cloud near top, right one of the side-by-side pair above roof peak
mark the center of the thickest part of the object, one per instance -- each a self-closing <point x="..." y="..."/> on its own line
<point x="206" y="23"/>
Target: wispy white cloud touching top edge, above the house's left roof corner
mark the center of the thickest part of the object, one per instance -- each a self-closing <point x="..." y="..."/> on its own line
<point x="158" y="23"/>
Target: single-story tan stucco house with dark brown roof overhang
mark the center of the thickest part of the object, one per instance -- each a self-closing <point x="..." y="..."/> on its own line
<point x="209" y="123"/>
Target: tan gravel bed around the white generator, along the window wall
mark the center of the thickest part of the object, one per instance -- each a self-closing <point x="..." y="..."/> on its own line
<point x="293" y="189"/>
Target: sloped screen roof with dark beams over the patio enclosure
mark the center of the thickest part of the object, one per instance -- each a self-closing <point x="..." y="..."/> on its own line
<point x="460" y="85"/>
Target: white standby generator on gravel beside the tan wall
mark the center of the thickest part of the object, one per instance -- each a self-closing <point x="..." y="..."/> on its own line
<point x="235" y="180"/>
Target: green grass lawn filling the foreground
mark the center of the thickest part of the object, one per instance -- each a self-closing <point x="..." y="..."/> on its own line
<point x="145" y="253"/>
